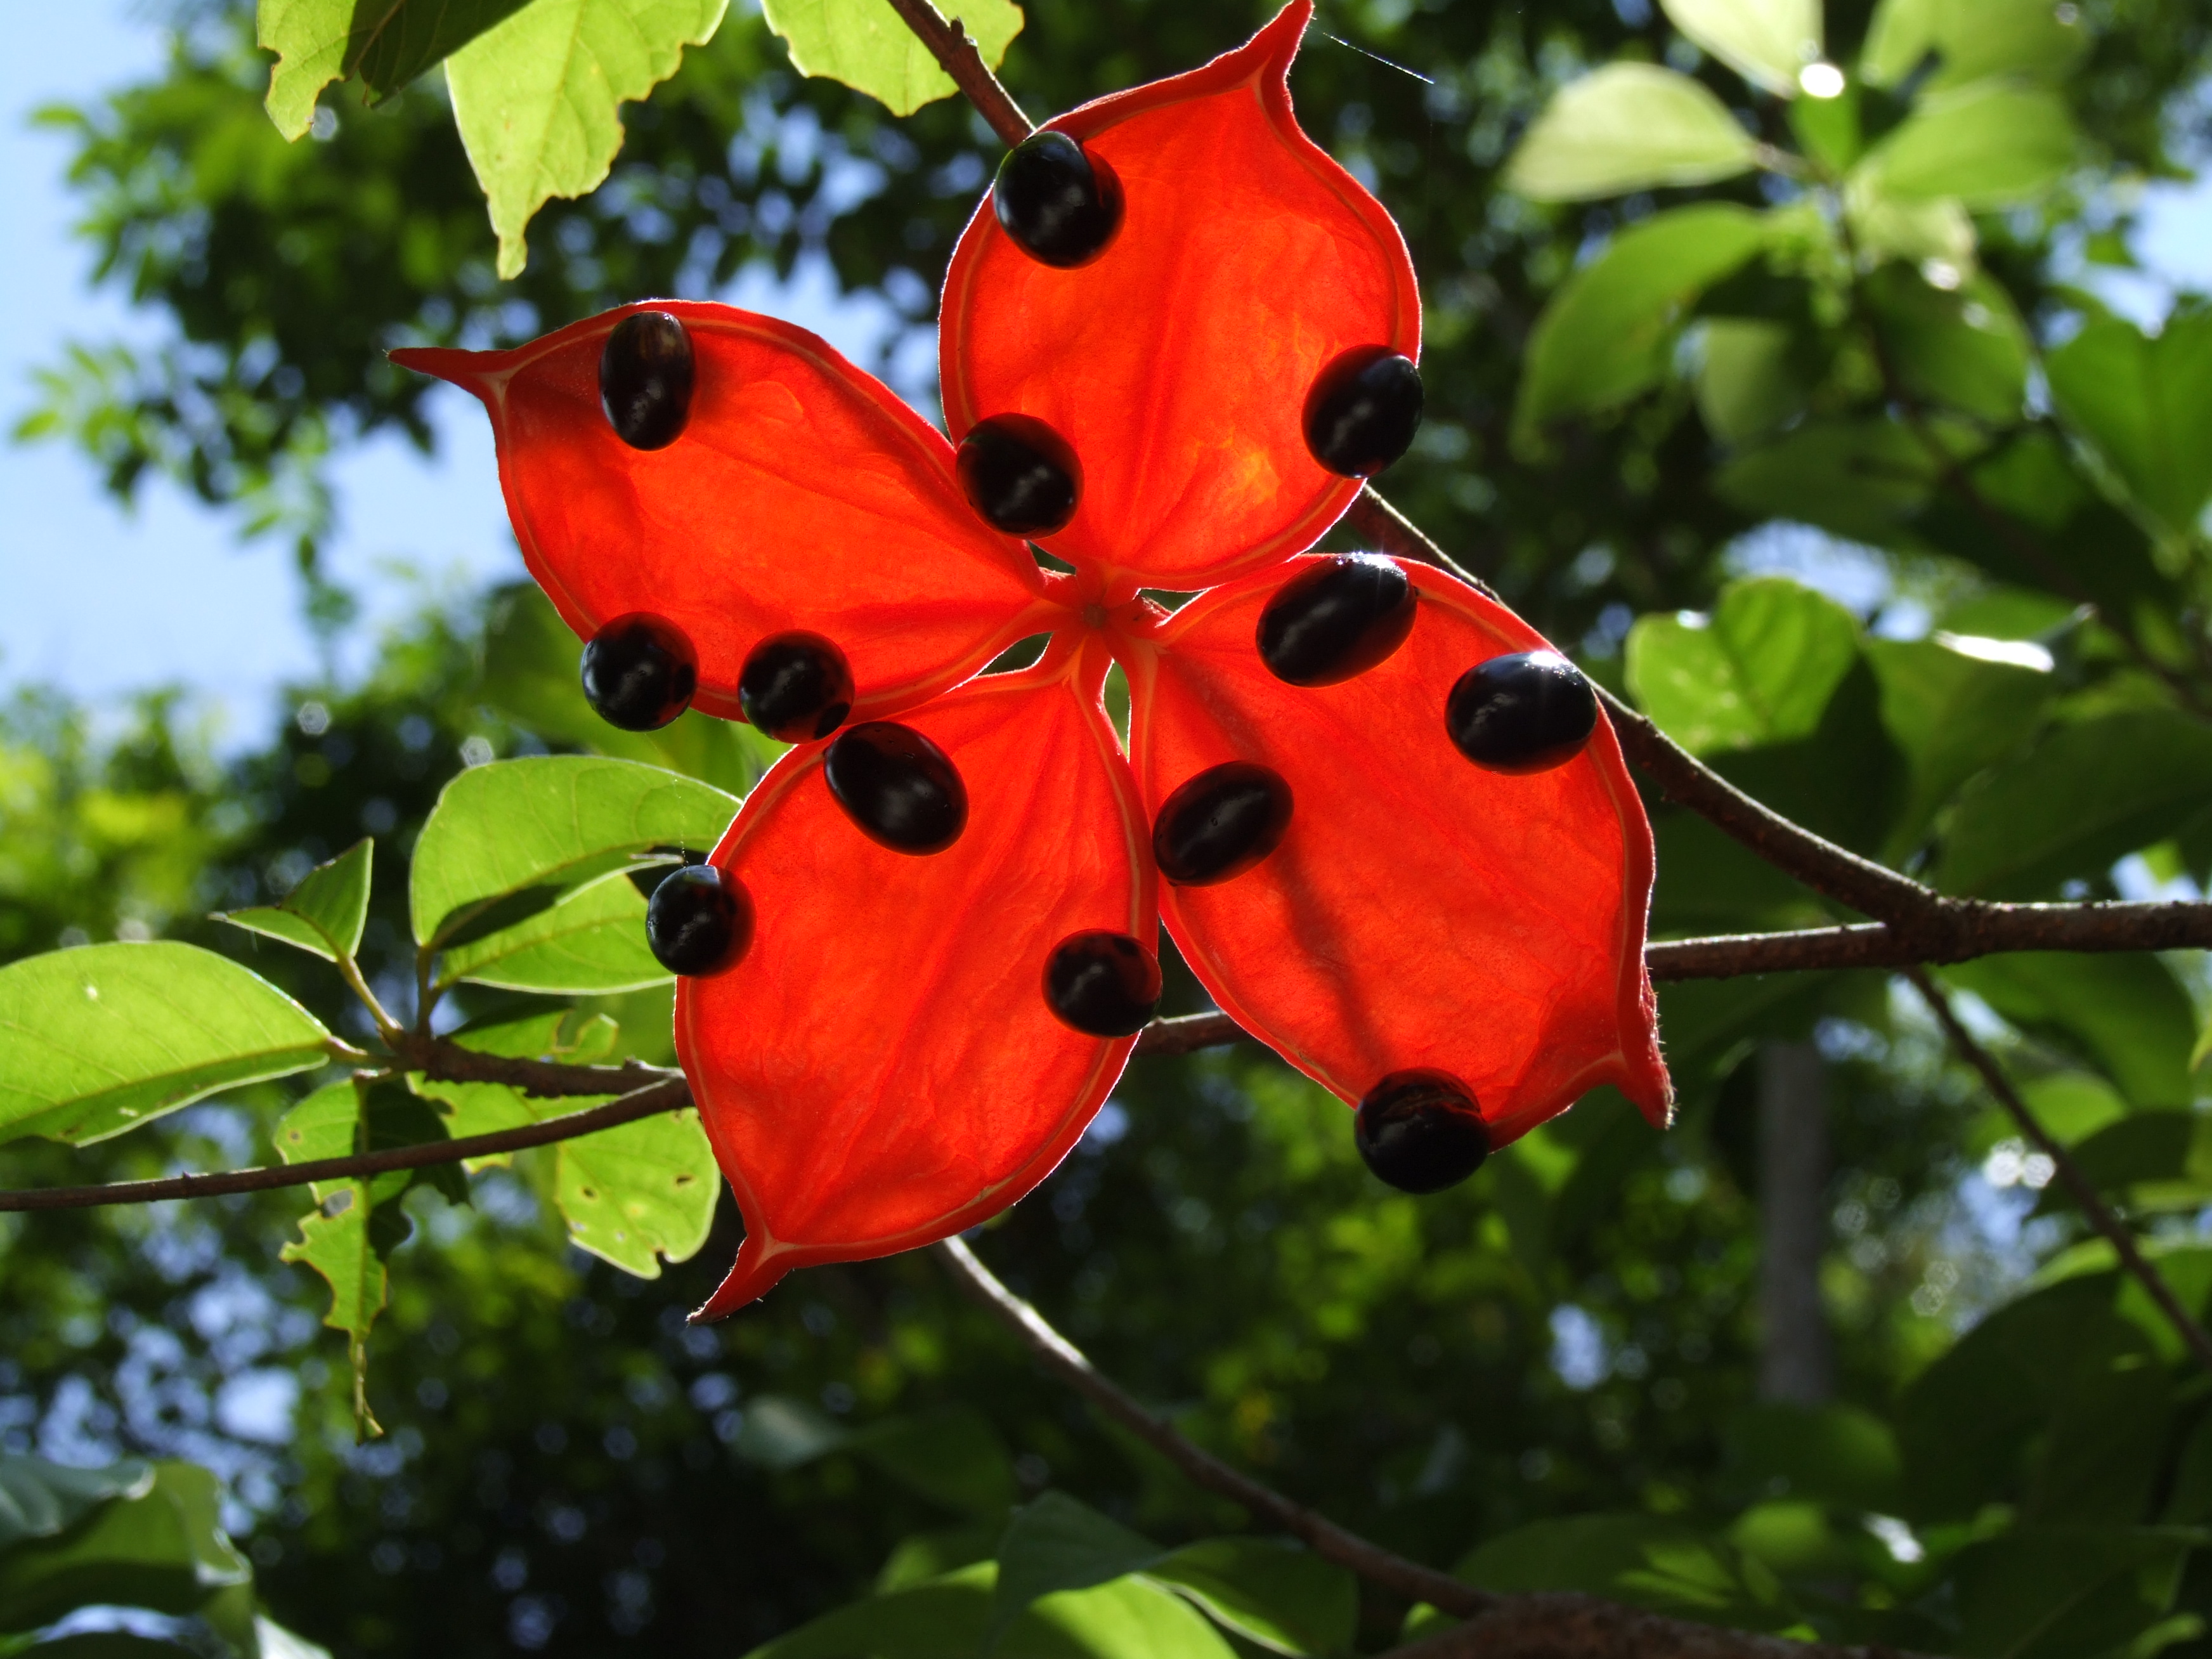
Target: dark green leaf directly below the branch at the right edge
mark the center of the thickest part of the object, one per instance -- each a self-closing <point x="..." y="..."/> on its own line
<point x="2122" y="1012"/>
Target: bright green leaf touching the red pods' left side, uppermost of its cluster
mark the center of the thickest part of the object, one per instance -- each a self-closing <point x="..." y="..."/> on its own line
<point x="550" y="822"/>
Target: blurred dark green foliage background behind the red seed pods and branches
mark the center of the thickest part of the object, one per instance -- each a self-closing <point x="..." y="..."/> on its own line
<point x="1983" y="1443"/>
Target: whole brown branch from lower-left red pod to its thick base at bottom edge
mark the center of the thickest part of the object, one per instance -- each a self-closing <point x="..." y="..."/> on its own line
<point x="1501" y="1627"/>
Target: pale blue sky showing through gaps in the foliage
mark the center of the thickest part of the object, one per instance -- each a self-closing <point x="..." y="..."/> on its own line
<point x="105" y="603"/>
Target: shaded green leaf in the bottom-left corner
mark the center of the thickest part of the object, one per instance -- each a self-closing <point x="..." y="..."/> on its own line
<point x="156" y="1550"/>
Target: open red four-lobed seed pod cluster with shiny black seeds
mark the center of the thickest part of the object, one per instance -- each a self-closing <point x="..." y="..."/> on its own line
<point x="1384" y="820"/>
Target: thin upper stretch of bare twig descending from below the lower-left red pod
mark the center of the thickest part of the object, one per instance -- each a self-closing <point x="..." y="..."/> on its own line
<point x="1326" y="1538"/>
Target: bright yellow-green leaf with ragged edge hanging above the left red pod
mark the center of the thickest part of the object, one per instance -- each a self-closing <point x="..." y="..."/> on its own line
<point x="539" y="98"/>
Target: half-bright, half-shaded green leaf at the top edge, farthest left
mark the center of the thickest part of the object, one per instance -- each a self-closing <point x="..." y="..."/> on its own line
<point x="388" y="43"/>
